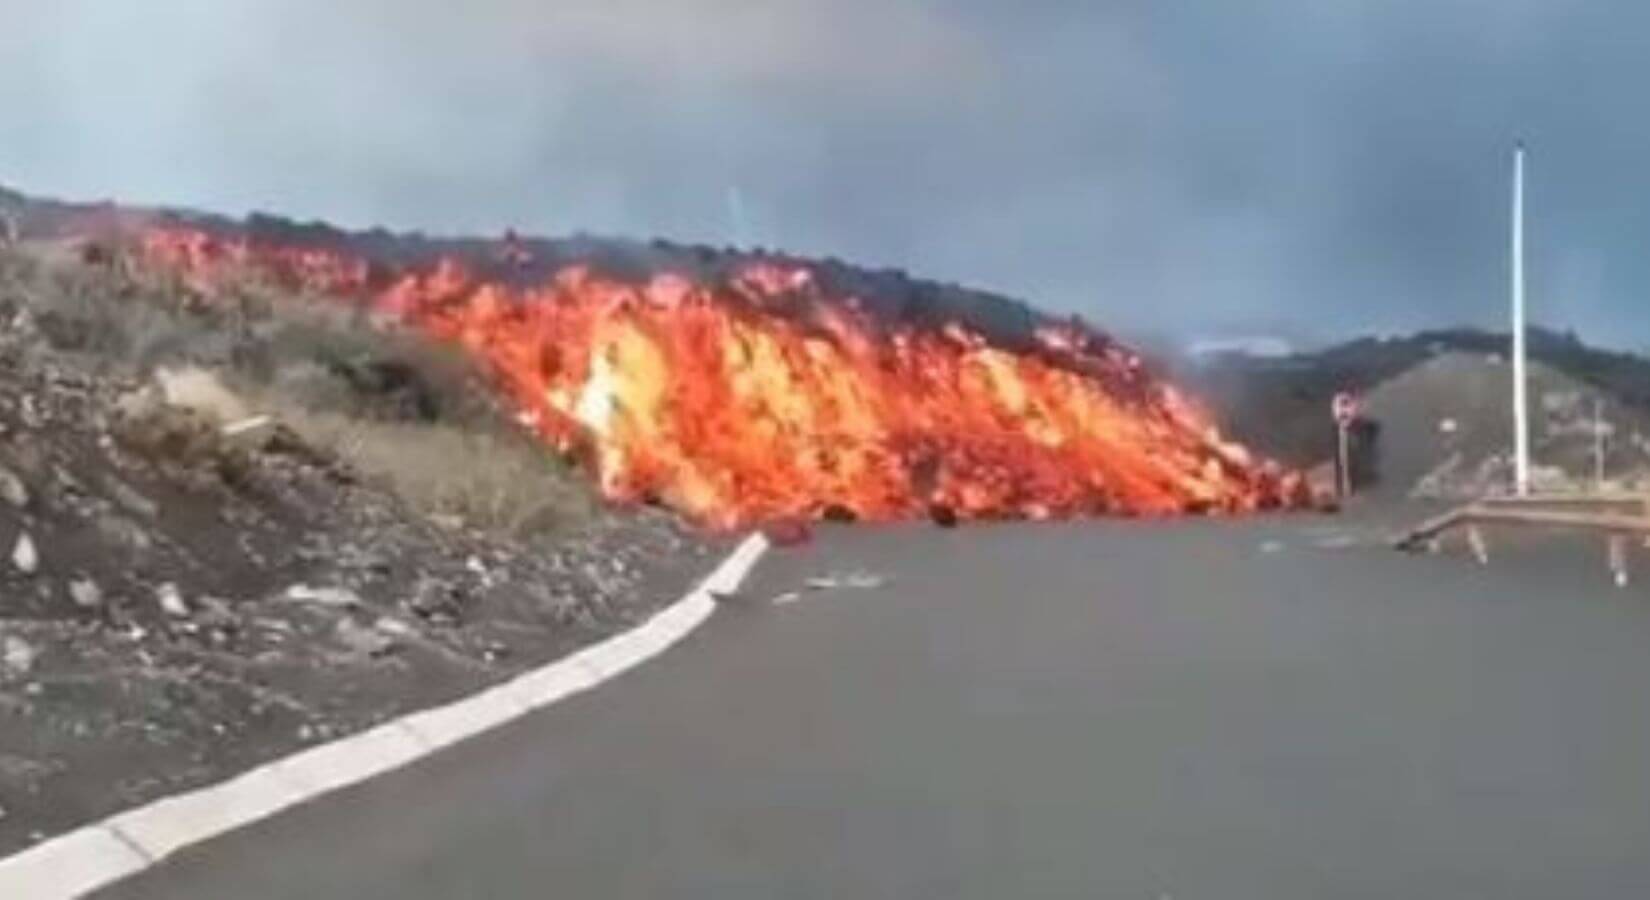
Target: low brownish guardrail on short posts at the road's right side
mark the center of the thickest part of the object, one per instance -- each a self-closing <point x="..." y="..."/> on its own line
<point x="1616" y="516"/>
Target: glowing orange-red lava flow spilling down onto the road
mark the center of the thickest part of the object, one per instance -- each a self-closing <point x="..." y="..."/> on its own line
<point x="760" y="396"/>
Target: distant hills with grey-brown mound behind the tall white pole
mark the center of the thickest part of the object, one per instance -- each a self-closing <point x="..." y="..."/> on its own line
<point x="1417" y="387"/>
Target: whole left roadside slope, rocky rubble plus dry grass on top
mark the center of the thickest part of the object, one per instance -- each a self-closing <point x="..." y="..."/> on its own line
<point x="230" y="534"/>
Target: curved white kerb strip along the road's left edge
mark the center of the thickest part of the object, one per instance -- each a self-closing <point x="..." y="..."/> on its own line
<point x="131" y="841"/>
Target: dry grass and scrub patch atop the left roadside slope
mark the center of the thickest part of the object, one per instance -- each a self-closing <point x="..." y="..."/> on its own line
<point x="400" y="410"/>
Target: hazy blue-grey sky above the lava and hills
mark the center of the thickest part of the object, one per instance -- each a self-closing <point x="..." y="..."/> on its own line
<point x="1298" y="166"/>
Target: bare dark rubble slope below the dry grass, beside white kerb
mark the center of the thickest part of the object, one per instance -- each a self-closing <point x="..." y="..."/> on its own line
<point x="182" y="600"/>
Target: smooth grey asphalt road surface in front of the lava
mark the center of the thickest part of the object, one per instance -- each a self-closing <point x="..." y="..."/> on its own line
<point x="1133" y="711"/>
